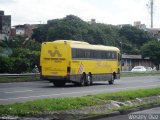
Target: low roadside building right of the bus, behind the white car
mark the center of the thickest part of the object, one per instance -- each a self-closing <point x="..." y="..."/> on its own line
<point x="129" y="61"/>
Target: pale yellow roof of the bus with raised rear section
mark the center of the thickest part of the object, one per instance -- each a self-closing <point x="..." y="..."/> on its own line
<point x="86" y="45"/>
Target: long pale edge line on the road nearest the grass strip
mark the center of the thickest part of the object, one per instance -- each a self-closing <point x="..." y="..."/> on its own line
<point x="113" y="89"/>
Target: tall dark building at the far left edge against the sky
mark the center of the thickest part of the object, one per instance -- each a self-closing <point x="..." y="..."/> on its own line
<point x="5" y="25"/>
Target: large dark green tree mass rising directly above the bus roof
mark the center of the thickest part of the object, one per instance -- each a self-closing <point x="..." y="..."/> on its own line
<point x="72" y="27"/>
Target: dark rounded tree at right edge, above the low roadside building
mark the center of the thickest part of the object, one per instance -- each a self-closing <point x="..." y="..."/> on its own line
<point x="152" y="50"/>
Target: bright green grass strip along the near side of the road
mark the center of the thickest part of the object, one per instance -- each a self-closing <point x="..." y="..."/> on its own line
<point x="56" y="104"/>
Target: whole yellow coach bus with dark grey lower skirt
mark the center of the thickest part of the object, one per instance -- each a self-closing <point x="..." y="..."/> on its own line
<point x="79" y="62"/>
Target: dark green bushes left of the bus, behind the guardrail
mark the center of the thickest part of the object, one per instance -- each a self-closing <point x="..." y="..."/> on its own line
<point x="18" y="56"/>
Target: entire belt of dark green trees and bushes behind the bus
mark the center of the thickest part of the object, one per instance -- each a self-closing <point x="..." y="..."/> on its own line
<point x="20" y="54"/>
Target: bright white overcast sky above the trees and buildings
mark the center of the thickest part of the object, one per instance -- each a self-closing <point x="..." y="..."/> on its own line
<point x="104" y="11"/>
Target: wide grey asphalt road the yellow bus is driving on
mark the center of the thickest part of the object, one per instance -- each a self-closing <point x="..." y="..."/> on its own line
<point x="26" y="91"/>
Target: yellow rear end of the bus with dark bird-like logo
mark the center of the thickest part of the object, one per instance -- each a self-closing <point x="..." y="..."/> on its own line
<point x="54" y="60"/>
